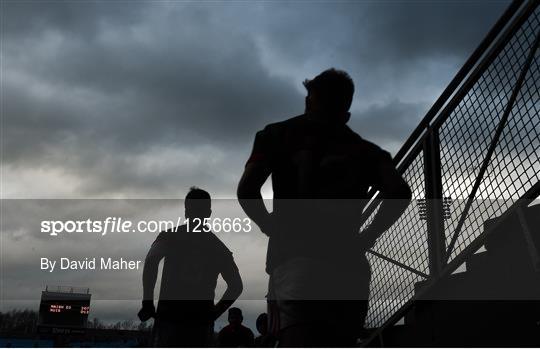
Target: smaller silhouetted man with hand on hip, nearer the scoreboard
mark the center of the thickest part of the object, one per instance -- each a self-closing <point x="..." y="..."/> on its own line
<point x="193" y="260"/>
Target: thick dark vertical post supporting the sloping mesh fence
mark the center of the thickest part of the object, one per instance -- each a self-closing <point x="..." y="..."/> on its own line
<point x="434" y="203"/>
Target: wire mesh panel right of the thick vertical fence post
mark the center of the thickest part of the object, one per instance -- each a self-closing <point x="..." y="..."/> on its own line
<point x="469" y="129"/>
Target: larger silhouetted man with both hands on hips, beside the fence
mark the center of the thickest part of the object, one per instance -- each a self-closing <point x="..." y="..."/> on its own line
<point x="321" y="172"/>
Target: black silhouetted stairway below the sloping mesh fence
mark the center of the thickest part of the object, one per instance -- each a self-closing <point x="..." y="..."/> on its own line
<point x="495" y="302"/>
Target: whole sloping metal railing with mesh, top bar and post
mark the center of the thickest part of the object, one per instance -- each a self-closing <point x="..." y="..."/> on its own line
<point x="478" y="145"/>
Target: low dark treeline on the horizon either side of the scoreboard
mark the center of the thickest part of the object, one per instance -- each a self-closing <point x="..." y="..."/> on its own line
<point x="26" y="320"/>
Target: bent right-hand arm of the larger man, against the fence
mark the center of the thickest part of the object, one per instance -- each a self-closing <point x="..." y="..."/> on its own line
<point x="396" y="196"/>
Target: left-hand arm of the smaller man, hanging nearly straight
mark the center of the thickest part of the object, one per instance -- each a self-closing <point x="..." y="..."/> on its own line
<point x="150" y="271"/>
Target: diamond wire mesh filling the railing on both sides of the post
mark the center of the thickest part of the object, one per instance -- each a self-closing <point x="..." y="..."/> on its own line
<point x="467" y="130"/>
